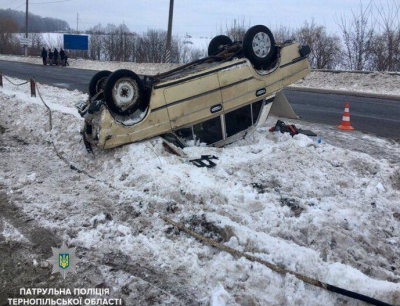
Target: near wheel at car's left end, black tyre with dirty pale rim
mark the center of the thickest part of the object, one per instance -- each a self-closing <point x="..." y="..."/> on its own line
<point x="123" y="92"/>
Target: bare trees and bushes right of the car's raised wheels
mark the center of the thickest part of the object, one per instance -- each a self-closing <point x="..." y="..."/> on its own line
<point x="369" y="39"/>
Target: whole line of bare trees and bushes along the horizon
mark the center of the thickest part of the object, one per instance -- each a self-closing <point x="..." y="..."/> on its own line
<point x="369" y="39"/>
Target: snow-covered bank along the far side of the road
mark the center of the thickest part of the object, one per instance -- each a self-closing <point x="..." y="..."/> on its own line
<point x="377" y="82"/>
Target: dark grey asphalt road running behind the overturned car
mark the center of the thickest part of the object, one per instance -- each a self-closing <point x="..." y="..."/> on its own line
<point x="371" y="115"/>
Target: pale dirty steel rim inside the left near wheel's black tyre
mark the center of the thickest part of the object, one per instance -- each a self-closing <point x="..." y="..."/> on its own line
<point x="125" y="93"/>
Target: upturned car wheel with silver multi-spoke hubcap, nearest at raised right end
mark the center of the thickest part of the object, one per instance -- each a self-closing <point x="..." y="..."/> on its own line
<point x="259" y="46"/>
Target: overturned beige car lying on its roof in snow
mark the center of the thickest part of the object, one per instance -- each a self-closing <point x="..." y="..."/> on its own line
<point x="211" y="101"/>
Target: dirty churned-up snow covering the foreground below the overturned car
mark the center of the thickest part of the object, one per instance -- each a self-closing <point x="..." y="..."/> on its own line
<point x="324" y="210"/>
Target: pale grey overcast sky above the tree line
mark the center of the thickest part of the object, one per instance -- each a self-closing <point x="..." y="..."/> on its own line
<point x="195" y="17"/>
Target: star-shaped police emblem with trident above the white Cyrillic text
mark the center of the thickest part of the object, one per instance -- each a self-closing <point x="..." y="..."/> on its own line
<point x="63" y="260"/>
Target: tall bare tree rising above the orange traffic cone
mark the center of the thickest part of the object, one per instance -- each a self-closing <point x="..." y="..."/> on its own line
<point x="357" y="33"/>
